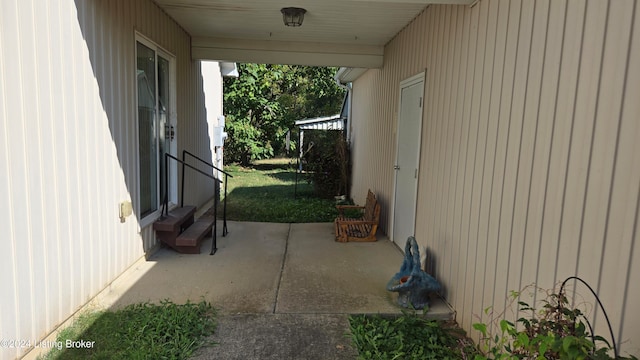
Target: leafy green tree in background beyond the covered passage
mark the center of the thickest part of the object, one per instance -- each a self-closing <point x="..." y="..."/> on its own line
<point x="264" y="102"/>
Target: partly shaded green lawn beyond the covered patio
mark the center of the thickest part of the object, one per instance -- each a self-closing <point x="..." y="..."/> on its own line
<point x="266" y="192"/>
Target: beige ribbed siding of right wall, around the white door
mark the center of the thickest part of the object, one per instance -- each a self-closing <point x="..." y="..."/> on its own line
<point x="530" y="165"/>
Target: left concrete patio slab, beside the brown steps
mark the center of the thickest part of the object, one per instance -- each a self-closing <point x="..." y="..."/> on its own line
<point x="242" y="277"/>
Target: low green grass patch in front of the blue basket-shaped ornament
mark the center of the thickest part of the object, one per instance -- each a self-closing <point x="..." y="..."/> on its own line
<point x="407" y="337"/>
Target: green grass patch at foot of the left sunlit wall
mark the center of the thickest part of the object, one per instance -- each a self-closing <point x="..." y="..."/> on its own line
<point x="139" y="331"/>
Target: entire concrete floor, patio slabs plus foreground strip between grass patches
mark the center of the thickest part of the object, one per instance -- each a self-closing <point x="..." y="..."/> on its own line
<point x="284" y="291"/>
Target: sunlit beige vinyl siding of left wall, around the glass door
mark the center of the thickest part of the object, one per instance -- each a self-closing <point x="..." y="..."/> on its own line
<point x="69" y="155"/>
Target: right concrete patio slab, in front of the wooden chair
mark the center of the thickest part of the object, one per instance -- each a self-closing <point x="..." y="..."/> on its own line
<point x="324" y="276"/>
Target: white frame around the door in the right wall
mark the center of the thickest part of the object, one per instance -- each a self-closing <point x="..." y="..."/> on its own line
<point x="413" y="80"/>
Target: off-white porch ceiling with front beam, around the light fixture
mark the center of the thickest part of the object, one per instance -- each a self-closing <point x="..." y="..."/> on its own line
<point x="350" y="33"/>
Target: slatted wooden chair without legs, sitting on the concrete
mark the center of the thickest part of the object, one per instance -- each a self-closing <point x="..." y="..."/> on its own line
<point x="362" y="228"/>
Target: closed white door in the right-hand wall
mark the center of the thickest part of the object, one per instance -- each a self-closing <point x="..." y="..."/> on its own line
<point x="407" y="159"/>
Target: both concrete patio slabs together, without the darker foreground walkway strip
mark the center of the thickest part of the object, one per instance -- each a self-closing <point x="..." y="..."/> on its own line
<point x="271" y="268"/>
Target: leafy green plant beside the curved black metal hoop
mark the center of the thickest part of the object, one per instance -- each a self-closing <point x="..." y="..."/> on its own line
<point x="557" y="331"/>
